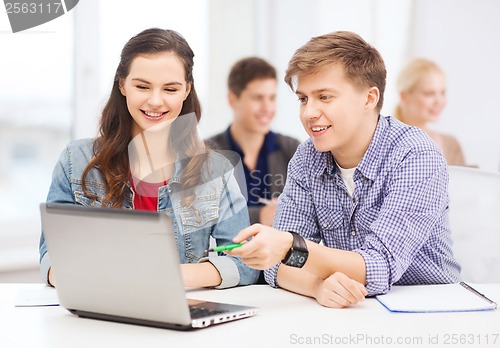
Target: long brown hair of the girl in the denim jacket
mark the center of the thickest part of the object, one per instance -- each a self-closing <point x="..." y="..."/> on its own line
<point x="115" y="130"/>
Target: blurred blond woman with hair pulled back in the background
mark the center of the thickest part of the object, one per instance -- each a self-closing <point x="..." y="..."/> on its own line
<point x="422" y="91"/>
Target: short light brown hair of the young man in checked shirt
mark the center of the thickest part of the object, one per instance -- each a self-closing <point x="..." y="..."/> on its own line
<point x="363" y="64"/>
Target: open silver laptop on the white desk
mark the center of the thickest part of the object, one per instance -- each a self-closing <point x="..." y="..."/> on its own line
<point x="123" y="265"/>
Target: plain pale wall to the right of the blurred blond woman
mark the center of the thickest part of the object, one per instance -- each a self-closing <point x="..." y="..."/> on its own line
<point x="462" y="36"/>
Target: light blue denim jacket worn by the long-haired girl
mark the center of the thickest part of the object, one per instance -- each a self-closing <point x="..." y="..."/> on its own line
<point x="218" y="209"/>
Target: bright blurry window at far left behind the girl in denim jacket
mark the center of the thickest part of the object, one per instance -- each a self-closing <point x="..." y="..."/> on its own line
<point x="35" y="122"/>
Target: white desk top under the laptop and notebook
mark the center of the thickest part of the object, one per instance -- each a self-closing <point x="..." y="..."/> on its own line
<point x="285" y="319"/>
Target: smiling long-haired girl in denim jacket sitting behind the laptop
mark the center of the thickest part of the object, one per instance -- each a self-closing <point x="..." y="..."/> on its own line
<point x="149" y="156"/>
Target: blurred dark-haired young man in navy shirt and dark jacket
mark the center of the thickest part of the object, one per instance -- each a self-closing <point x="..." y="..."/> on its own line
<point x="265" y="154"/>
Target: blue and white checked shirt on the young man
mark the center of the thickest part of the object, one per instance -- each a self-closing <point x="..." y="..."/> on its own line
<point x="397" y="217"/>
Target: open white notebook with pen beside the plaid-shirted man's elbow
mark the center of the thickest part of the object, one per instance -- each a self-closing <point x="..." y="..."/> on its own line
<point x="459" y="297"/>
